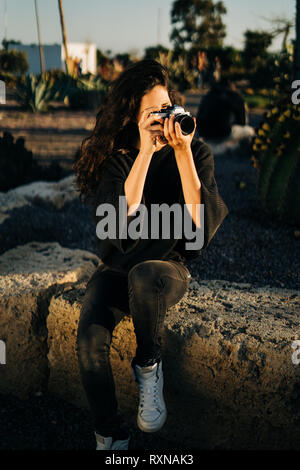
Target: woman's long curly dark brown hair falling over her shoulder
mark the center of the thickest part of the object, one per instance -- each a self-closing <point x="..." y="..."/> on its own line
<point x="116" y="121"/>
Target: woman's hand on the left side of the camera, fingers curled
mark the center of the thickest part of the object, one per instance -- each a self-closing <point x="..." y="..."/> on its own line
<point x="151" y="135"/>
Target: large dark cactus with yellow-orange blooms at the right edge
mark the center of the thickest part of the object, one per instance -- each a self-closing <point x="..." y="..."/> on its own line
<point x="277" y="155"/>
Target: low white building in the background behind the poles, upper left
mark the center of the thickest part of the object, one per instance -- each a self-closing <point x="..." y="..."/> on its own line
<point x="54" y="56"/>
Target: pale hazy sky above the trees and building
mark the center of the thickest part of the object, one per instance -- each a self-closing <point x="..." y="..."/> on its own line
<point x="128" y="25"/>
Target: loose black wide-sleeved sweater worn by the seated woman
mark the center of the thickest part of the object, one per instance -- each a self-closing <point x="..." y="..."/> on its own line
<point x="162" y="184"/>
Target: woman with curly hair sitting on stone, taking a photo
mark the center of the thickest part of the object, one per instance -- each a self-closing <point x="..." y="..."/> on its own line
<point x="143" y="158"/>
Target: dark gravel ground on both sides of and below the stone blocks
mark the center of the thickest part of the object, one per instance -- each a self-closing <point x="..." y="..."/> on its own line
<point x="248" y="247"/>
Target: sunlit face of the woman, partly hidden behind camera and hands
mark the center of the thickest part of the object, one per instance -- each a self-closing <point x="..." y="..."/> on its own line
<point x="154" y="100"/>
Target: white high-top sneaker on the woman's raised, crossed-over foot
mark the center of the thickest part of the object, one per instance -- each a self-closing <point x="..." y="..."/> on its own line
<point x="152" y="412"/>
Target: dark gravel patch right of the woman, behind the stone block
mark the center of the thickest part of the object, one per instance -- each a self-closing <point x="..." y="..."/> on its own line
<point x="248" y="247"/>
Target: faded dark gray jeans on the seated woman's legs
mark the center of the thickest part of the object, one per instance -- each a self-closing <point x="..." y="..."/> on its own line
<point x="146" y="292"/>
